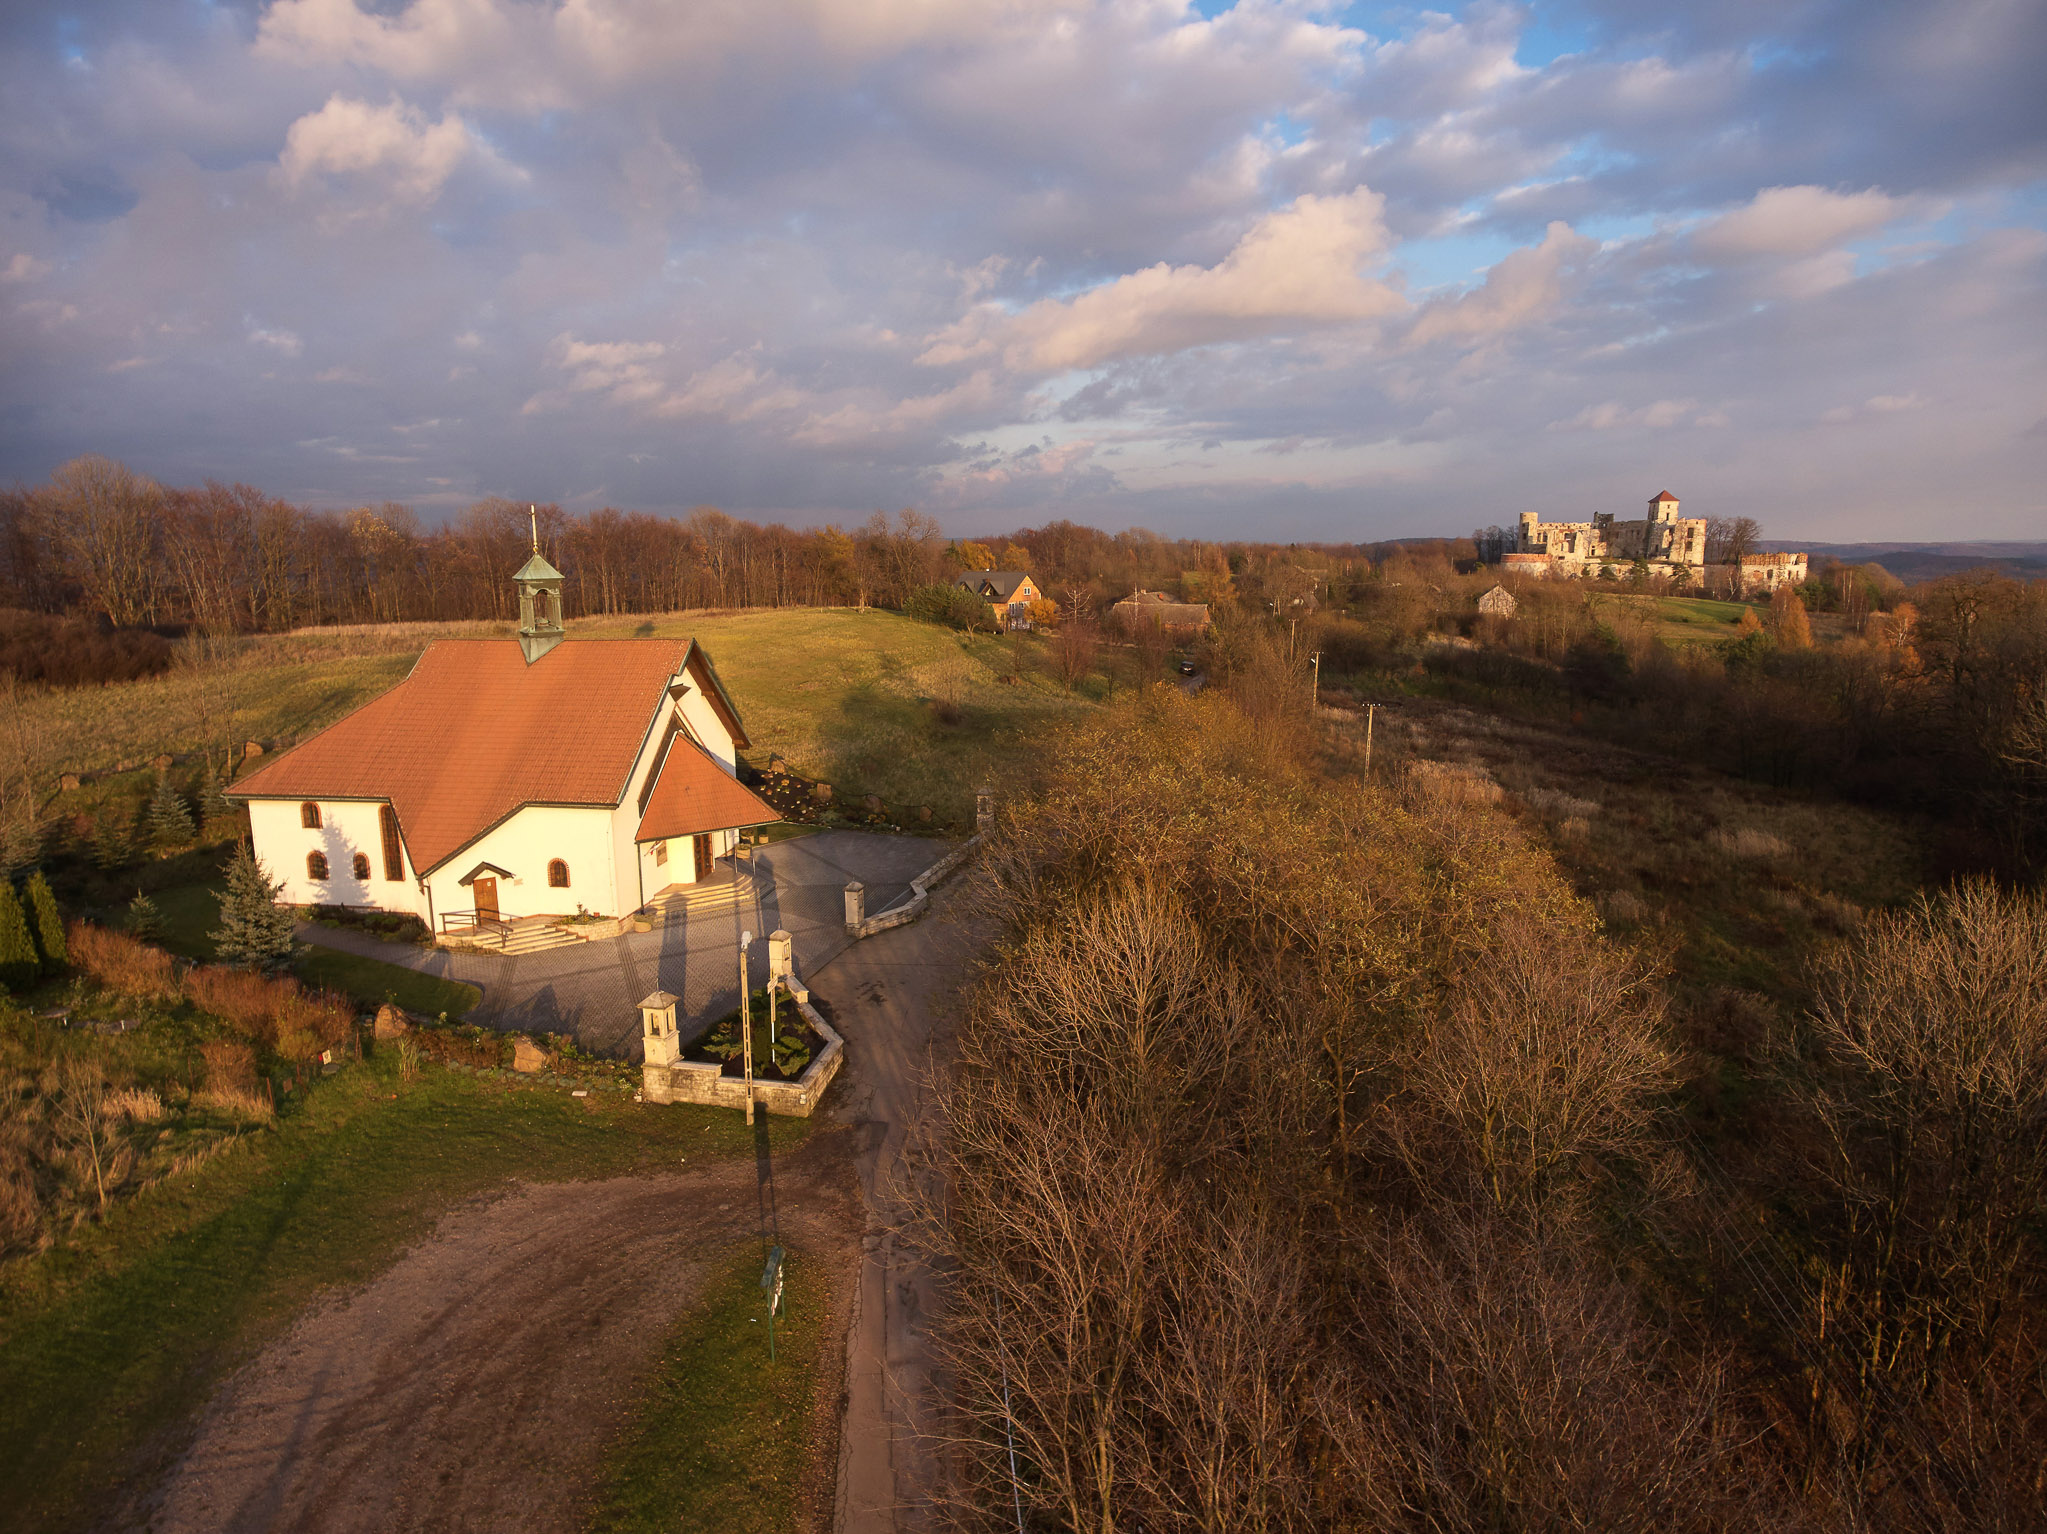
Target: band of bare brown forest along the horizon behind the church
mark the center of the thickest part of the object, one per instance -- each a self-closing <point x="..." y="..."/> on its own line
<point x="101" y="542"/>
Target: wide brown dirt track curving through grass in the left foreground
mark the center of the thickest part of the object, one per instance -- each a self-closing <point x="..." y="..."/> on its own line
<point x="476" y="1383"/>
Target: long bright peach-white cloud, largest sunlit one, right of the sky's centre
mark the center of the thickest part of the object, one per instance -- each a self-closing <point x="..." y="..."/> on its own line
<point x="1297" y="269"/>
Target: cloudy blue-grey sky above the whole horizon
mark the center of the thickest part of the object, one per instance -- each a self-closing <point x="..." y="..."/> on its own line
<point x="1266" y="271"/>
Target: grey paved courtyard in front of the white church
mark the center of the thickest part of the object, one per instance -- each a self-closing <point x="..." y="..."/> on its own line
<point x="593" y="990"/>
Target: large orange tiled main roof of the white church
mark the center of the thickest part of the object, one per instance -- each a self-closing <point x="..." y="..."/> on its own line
<point x="476" y="732"/>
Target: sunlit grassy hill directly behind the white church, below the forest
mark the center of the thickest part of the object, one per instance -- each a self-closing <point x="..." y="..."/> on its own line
<point x="867" y="701"/>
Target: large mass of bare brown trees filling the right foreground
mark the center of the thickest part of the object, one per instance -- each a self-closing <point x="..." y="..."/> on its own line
<point x="1313" y="1162"/>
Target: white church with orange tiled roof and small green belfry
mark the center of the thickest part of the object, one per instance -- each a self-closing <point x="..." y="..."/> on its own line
<point x="515" y="777"/>
